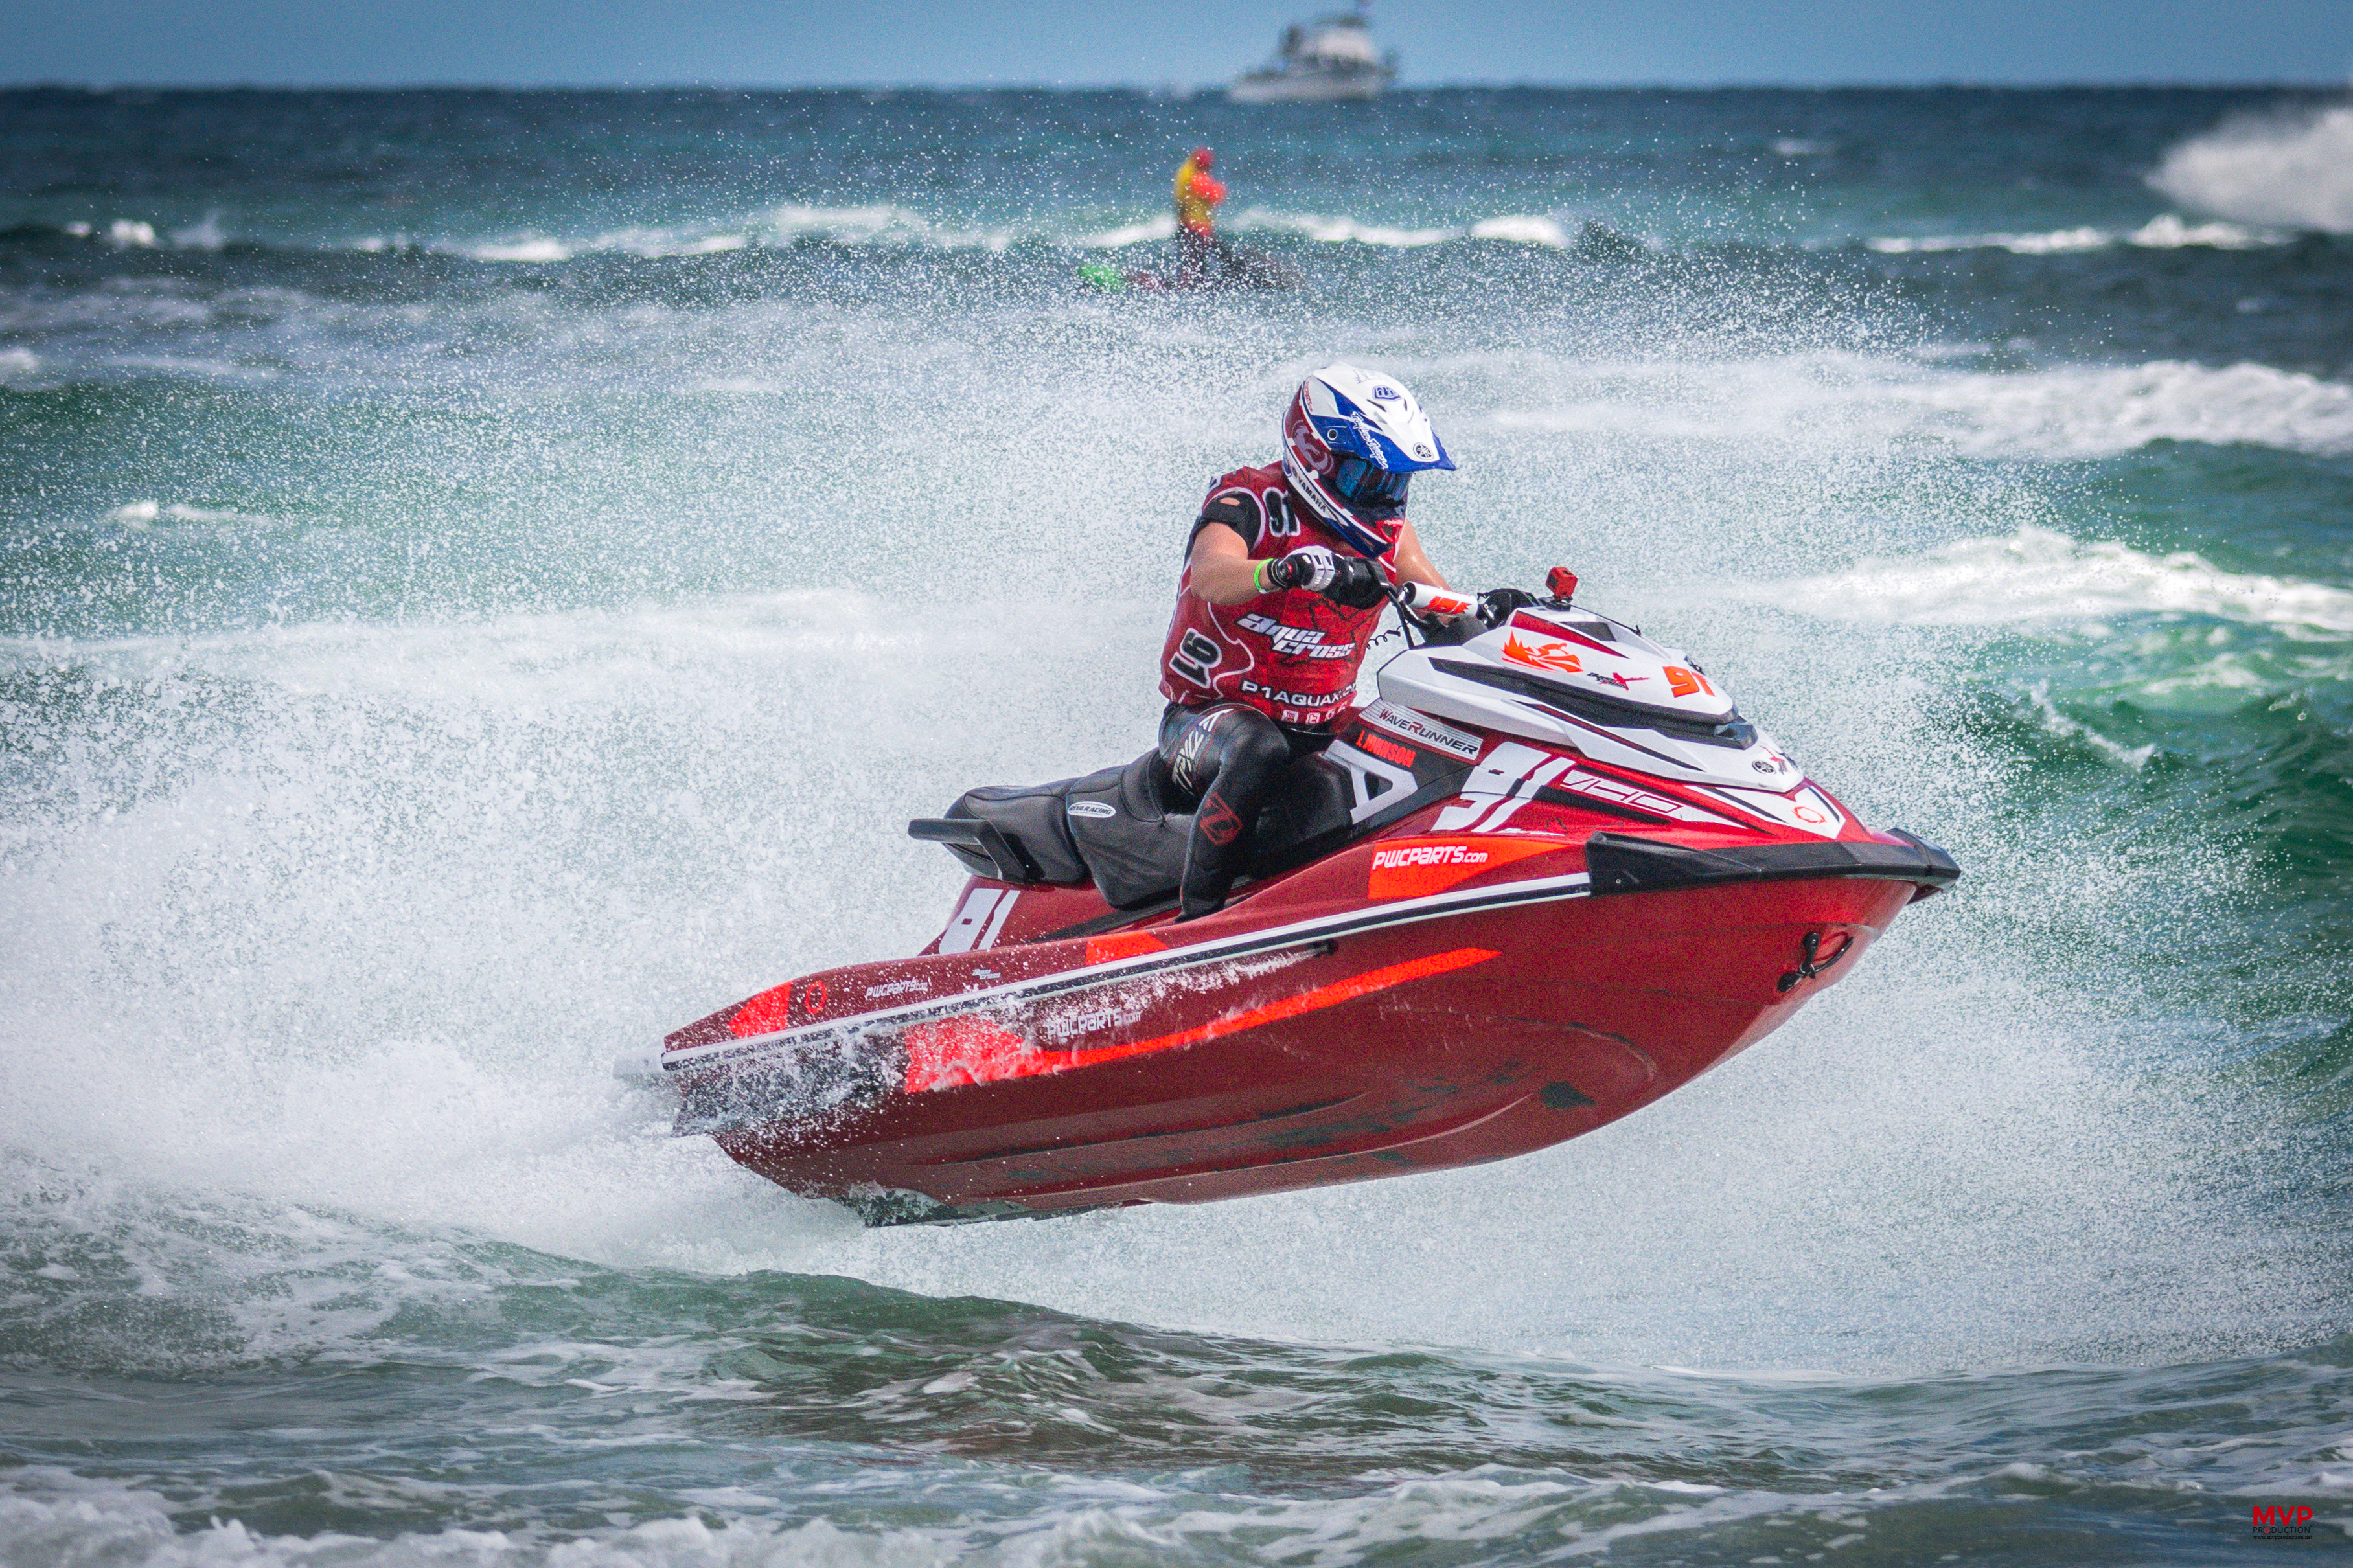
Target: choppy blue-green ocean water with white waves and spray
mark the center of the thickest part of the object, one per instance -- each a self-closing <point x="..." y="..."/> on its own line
<point x="484" y="577"/>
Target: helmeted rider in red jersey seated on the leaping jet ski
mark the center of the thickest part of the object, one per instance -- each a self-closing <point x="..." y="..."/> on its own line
<point x="1284" y="584"/>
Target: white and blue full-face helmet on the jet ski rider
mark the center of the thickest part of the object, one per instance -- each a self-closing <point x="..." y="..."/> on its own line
<point x="1352" y="441"/>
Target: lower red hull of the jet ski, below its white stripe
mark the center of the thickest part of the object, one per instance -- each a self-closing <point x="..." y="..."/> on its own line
<point x="1418" y="1047"/>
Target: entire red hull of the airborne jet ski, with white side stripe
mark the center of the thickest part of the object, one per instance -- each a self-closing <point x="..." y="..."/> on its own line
<point x="1124" y="1068"/>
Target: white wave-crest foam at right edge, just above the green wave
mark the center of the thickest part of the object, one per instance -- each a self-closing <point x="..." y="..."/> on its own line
<point x="2041" y="577"/>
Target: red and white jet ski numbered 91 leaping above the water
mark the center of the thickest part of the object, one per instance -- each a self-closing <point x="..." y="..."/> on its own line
<point x="1542" y="880"/>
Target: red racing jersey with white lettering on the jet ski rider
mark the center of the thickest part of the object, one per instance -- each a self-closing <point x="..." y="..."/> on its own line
<point x="1291" y="655"/>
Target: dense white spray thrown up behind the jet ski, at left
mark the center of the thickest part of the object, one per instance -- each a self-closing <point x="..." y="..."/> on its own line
<point x="286" y="1080"/>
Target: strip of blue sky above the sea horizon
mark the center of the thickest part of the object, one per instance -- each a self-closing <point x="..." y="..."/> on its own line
<point x="1079" y="43"/>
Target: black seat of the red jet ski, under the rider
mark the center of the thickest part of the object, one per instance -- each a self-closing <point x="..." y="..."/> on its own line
<point x="1126" y="829"/>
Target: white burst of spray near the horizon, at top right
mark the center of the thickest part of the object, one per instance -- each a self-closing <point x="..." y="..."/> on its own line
<point x="2291" y="173"/>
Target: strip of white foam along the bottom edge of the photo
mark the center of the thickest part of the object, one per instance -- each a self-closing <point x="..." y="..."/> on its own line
<point x="51" y="1515"/>
